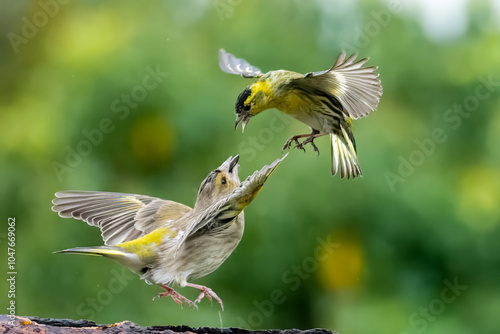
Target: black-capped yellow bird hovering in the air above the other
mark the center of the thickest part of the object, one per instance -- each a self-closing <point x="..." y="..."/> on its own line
<point x="327" y="101"/>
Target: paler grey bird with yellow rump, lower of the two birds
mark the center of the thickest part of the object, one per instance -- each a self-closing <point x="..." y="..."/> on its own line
<point x="163" y="241"/>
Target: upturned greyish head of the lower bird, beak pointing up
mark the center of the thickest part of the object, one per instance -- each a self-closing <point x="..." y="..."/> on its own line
<point x="219" y="183"/>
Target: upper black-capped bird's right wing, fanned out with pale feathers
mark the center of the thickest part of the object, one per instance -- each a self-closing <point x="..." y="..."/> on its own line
<point x="357" y="88"/>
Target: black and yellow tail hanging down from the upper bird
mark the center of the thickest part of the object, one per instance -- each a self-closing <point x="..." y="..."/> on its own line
<point x="344" y="156"/>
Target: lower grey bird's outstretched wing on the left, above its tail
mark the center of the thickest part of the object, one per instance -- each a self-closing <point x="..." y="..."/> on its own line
<point x="120" y="217"/>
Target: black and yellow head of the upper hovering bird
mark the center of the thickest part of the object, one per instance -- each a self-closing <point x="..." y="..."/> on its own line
<point x="253" y="100"/>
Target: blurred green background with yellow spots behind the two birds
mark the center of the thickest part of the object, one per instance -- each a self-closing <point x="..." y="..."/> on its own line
<point x="424" y="217"/>
